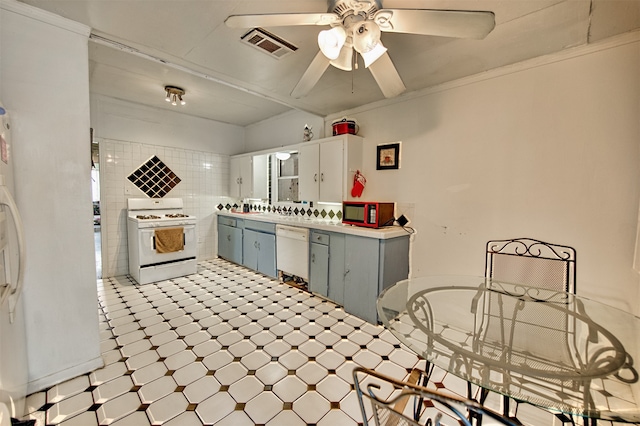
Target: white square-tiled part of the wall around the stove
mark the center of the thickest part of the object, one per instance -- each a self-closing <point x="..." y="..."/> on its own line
<point x="204" y="184"/>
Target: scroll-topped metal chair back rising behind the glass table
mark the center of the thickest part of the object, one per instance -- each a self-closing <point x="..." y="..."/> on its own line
<point x="532" y="262"/>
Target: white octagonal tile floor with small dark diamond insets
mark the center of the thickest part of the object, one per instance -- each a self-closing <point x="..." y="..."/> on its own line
<point x="226" y="346"/>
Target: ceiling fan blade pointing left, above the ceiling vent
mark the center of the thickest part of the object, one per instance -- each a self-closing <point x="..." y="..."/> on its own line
<point x="281" y="20"/>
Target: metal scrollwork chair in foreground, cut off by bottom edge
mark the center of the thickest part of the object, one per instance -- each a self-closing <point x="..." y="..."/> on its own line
<point x="397" y="403"/>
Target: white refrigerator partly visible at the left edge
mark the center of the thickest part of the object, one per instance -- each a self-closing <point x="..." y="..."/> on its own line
<point x="13" y="351"/>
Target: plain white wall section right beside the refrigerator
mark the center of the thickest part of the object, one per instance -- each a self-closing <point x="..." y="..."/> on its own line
<point x="44" y="66"/>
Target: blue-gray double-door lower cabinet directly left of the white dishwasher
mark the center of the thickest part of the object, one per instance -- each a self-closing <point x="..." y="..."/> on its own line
<point x="259" y="247"/>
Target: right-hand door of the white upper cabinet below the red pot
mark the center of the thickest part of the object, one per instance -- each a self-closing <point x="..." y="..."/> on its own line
<point x="332" y="172"/>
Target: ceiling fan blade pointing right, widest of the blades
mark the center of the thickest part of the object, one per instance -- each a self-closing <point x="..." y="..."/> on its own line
<point x="443" y="23"/>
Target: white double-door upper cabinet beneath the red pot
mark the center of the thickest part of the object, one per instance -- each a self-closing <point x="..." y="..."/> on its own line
<point x="327" y="167"/>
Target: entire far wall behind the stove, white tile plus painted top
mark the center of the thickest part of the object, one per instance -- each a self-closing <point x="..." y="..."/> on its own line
<point x="195" y="149"/>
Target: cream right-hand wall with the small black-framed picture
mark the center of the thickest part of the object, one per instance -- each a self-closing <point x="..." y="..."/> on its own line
<point x="548" y="149"/>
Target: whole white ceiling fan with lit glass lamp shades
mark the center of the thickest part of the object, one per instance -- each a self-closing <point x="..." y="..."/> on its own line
<point x="357" y="25"/>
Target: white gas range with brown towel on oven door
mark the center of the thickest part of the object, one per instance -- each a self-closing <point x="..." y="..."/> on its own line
<point x="162" y="239"/>
